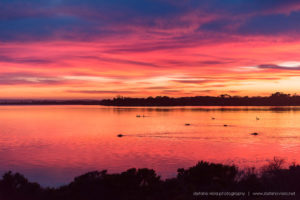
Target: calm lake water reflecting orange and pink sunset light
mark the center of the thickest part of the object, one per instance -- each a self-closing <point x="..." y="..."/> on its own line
<point x="53" y="144"/>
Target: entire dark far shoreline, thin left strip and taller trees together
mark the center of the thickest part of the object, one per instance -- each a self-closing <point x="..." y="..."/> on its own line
<point x="276" y="99"/>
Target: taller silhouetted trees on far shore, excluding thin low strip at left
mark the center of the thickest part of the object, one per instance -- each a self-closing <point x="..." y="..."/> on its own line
<point x="276" y="99"/>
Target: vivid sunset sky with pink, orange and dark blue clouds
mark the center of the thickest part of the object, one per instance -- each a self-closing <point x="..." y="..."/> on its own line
<point x="94" y="49"/>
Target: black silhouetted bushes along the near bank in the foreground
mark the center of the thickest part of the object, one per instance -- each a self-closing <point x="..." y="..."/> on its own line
<point x="145" y="184"/>
